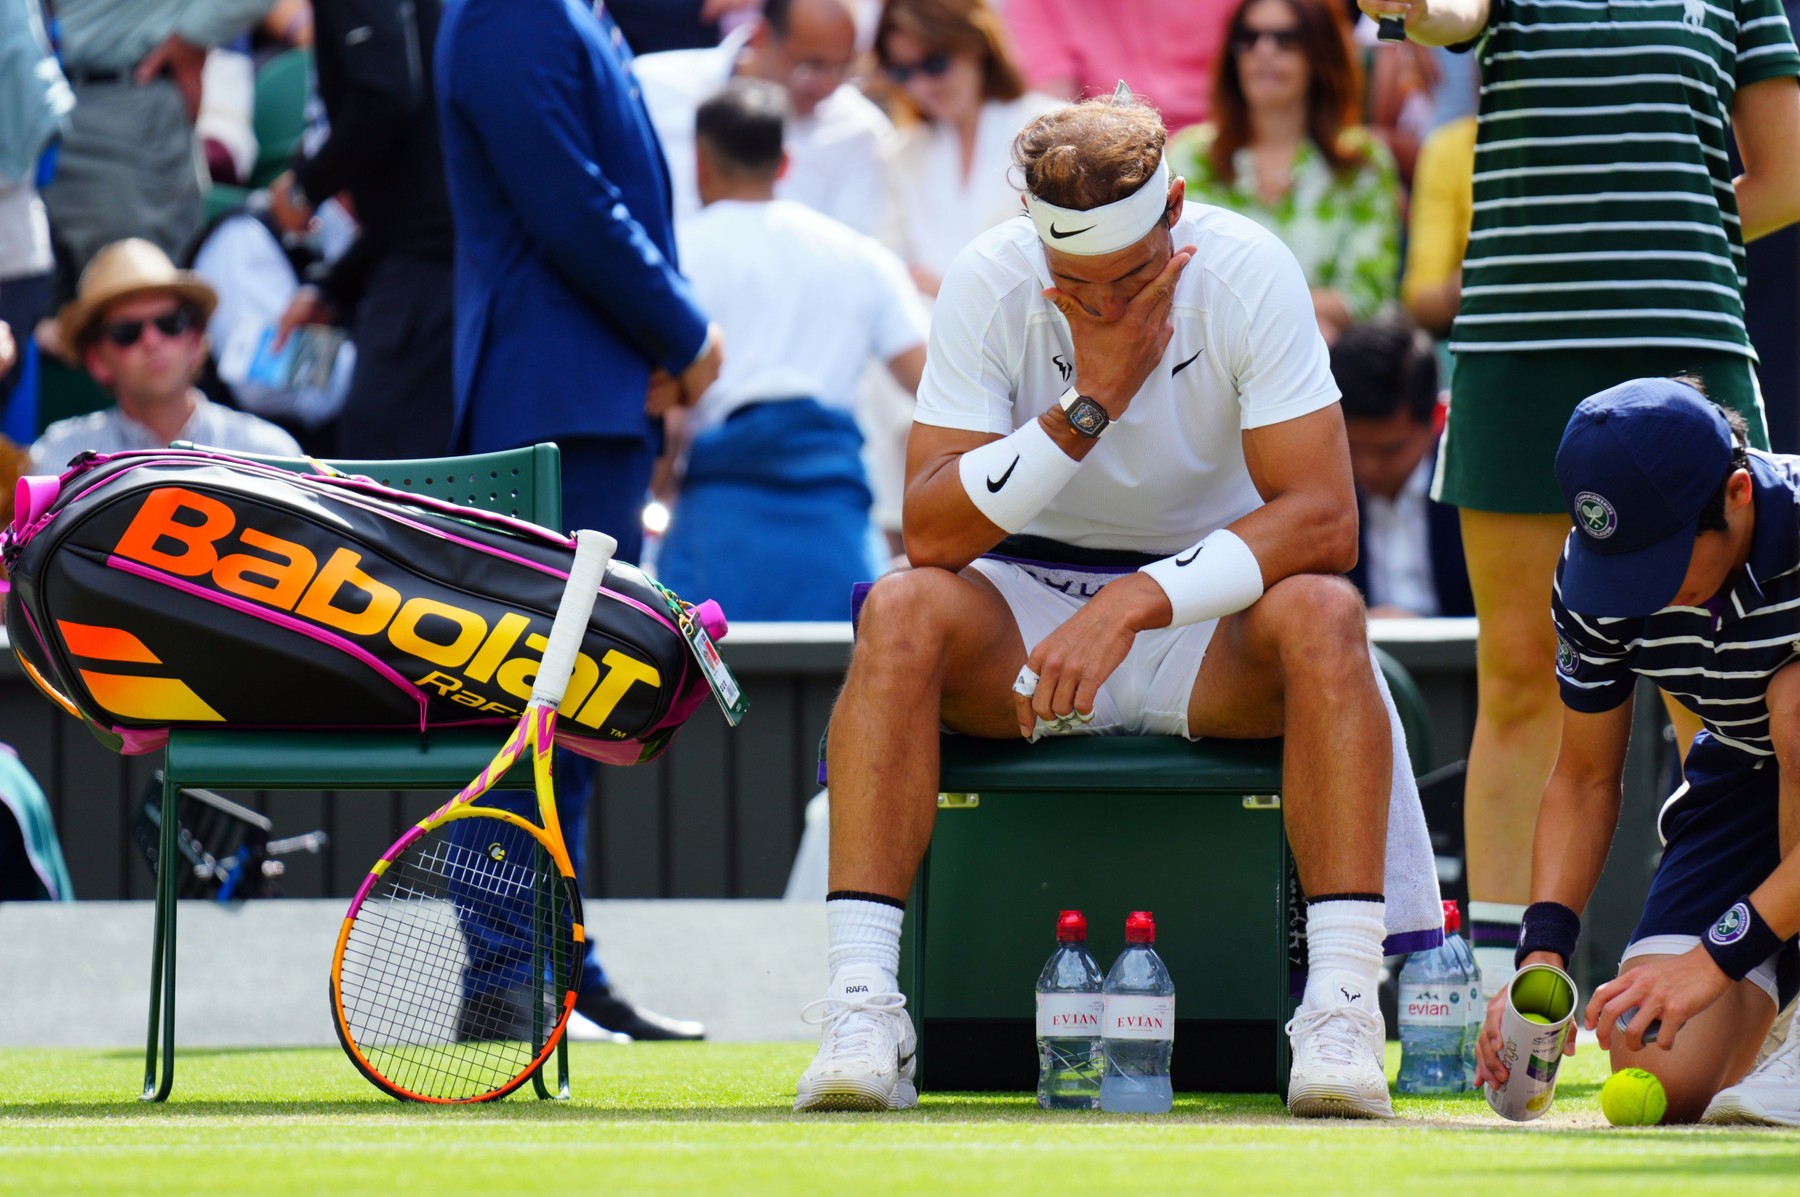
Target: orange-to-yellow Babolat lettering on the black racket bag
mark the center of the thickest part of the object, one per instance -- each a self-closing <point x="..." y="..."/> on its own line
<point x="197" y="537"/>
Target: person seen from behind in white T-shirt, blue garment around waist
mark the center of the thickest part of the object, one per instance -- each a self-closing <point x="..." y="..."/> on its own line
<point x="773" y="517"/>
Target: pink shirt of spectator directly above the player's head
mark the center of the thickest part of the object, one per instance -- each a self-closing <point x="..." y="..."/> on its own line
<point x="1077" y="49"/>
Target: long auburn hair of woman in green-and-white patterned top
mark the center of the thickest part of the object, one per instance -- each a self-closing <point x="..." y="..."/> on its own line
<point x="1335" y="85"/>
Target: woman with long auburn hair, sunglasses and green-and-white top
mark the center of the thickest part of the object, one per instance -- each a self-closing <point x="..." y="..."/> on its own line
<point x="1284" y="150"/>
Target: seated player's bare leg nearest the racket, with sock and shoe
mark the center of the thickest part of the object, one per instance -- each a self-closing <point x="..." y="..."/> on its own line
<point x="931" y="649"/>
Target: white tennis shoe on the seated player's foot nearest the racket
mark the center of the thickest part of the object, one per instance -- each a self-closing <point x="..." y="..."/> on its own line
<point x="867" y="1050"/>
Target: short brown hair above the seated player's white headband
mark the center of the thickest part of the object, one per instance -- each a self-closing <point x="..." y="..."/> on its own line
<point x="1090" y="154"/>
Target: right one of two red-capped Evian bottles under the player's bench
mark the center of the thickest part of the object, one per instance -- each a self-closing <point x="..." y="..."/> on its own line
<point x="1140" y="1025"/>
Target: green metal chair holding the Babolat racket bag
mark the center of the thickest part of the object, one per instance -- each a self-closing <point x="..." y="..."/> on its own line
<point x="525" y="483"/>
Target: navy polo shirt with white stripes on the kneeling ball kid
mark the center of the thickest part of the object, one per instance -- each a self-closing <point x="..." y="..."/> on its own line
<point x="1718" y="663"/>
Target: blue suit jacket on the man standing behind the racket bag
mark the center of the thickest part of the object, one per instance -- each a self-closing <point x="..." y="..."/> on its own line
<point x="566" y="283"/>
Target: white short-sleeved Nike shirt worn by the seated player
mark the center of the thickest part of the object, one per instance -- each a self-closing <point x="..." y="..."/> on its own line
<point x="1246" y="354"/>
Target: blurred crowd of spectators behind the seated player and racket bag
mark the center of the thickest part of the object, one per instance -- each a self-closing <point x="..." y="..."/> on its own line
<point x="229" y="222"/>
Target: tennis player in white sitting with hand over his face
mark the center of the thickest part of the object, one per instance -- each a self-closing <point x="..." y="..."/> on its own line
<point x="1128" y="494"/>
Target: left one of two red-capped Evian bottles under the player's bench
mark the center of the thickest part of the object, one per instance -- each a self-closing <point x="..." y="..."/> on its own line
<point x="1068" y="1021"/>
